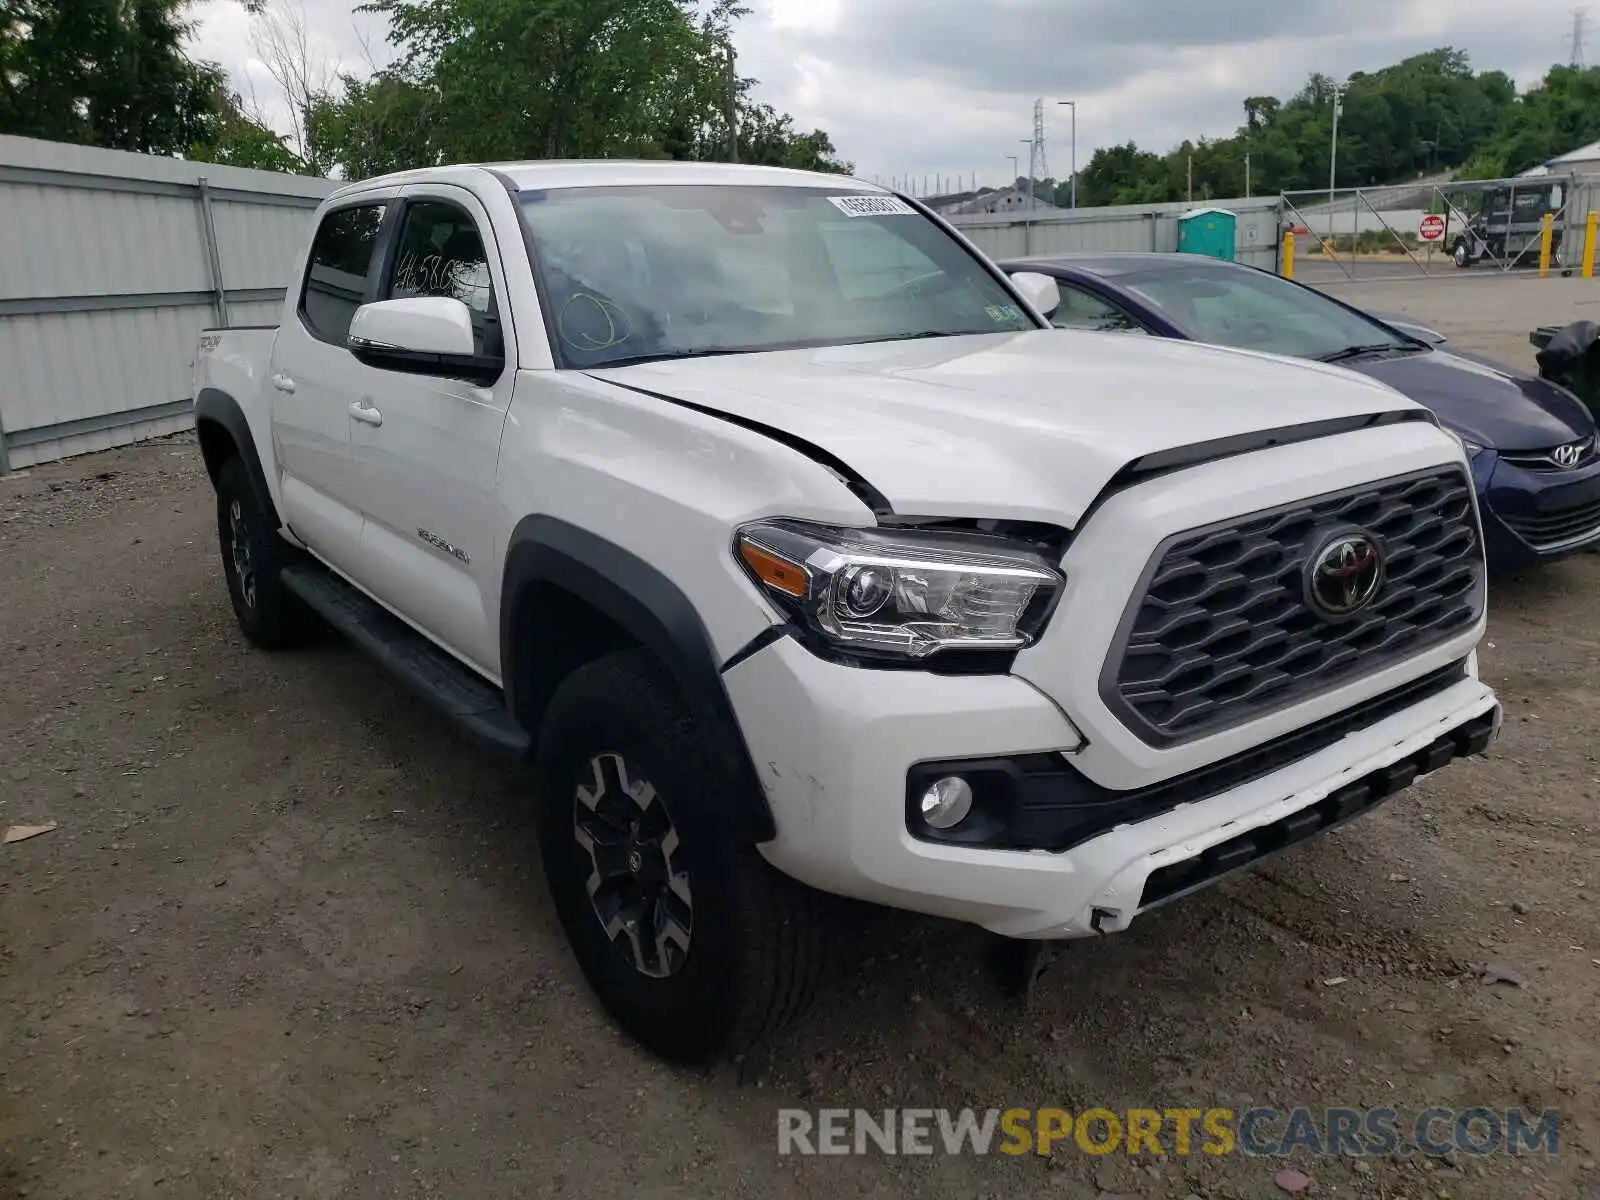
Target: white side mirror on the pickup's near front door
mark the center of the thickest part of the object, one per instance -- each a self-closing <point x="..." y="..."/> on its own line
<point x="422" y="335"/>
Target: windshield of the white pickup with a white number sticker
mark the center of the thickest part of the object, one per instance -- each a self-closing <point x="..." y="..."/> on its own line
<point x="676" y="271"/>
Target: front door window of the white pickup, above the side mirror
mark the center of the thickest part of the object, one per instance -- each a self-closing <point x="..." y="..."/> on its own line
<point x="441" y="254"/>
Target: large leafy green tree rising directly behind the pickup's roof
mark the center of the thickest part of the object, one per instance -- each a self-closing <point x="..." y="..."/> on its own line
<point x="553" y="79"/>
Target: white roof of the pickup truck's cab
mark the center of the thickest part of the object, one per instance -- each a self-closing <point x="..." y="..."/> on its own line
<point x="618" y="172"/>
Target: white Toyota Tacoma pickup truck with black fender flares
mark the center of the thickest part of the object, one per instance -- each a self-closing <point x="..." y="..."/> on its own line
<point x="778" y="532"/>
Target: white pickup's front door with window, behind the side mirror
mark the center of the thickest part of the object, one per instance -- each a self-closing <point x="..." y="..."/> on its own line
<point x="425" y="450"/>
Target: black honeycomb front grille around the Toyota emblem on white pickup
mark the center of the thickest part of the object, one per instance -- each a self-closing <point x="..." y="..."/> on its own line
<point x="1220" y="631"/>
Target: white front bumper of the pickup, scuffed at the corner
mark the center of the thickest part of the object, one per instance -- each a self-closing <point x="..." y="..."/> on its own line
<point x="834" y="746"/>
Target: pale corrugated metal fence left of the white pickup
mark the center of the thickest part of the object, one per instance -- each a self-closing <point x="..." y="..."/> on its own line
<point x="110" y="268"/>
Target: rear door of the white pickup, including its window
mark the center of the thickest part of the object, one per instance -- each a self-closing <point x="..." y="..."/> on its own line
<point x="313" y="380"/>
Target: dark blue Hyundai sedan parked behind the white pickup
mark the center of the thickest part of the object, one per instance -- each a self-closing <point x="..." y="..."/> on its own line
<point x="1534" y="446"/>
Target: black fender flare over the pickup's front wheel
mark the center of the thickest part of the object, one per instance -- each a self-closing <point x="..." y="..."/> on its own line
<point x="654" y="610"/>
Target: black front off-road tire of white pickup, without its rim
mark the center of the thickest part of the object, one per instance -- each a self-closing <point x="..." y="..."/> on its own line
<point x="756" y="953"/>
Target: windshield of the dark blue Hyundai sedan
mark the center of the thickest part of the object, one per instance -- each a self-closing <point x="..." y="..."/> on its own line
<point x="1255" y="311"/>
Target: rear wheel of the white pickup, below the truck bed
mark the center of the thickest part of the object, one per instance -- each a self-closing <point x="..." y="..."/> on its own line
<point x="254" y="556"/>
